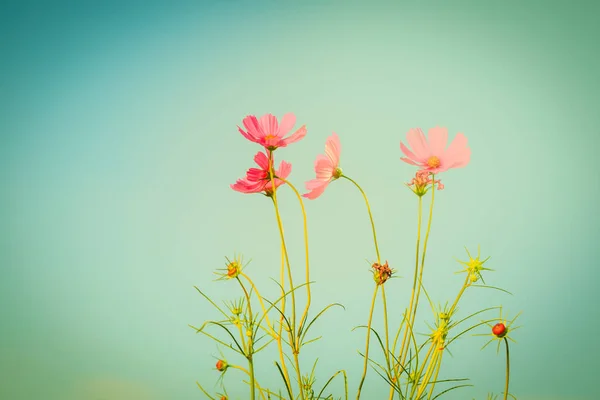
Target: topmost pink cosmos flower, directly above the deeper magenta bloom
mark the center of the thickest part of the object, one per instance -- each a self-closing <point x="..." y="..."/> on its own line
<point x="266" y="132"/>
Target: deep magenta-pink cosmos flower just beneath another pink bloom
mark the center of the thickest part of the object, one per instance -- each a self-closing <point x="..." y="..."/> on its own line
<point x="258" y="180"/>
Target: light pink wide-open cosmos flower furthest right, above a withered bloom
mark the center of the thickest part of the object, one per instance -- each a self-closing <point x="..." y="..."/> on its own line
<point x="432" y="155"/>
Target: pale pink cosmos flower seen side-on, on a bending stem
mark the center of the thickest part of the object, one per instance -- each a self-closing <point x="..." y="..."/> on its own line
<point x="326" y="167"/>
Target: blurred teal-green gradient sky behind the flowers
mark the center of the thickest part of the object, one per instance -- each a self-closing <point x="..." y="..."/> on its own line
<point x="119" y="141"/>
